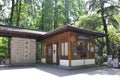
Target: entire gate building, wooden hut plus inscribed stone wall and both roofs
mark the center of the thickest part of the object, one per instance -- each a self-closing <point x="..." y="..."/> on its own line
<point x="66" y="46"/>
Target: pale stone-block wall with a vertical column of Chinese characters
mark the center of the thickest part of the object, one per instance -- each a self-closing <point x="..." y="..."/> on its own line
<point x="23" y="51"/>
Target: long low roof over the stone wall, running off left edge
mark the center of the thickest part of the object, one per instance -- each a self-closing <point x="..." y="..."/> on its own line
<point x="10" y="31"/>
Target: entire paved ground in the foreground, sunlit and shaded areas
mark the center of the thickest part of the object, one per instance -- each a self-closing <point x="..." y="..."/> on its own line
<point x="52" y="73"/>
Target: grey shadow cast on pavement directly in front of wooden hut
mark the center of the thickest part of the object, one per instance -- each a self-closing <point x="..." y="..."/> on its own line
<point x="103" y="70"/>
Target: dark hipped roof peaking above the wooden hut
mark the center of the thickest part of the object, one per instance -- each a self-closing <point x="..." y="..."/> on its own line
<point x="75" y="29"/>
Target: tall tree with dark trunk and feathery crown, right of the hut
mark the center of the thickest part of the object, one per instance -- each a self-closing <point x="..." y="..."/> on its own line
<point x="106" y="13"/>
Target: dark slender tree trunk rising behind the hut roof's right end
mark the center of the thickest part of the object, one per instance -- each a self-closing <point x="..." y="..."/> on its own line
<point x="105" y="27"/>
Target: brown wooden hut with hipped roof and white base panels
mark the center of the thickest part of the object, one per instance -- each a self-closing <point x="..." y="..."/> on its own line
<point x="70" y="46"/>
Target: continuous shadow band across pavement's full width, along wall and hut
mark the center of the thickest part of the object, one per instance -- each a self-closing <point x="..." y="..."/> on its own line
<point x="55" y="70"/>
